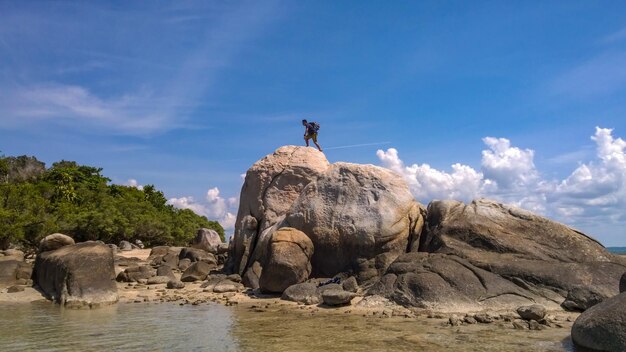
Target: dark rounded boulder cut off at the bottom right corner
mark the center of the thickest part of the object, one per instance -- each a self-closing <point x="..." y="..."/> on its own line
<point x="603" y="326"/>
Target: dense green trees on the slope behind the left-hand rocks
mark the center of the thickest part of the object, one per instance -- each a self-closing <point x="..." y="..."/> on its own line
<point x="79" y="201"/>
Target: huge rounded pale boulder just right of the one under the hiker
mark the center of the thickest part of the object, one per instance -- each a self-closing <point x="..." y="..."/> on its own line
<point x="353" y="213"/>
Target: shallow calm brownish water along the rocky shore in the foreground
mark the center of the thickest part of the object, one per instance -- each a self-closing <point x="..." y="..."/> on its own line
<point x="44" y="326"/>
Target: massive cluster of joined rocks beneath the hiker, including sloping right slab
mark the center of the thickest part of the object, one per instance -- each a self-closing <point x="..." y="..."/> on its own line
<point x="362" y="221"/>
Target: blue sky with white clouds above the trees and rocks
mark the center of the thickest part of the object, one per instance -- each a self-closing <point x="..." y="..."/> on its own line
<point x="522" y="102"/>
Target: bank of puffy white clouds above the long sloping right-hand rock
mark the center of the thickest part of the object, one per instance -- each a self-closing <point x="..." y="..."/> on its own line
<point x="594" y="191"/>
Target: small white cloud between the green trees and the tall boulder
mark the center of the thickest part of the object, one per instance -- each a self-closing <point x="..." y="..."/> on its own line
<point x="214" y="207"/>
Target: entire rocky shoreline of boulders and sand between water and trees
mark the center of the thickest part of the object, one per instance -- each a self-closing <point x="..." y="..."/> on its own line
<point x="350" y="239"/>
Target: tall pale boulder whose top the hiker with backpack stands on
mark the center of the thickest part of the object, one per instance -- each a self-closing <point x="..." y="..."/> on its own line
<point x="271" y="185"/>
